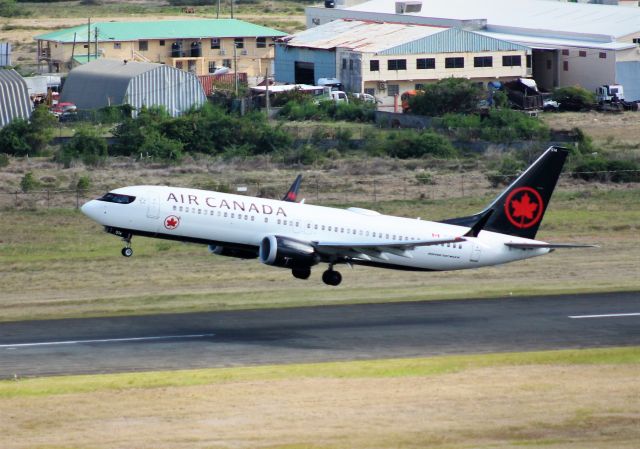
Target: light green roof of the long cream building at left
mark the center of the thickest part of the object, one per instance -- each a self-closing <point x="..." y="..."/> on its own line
<point x="163" y="29"/>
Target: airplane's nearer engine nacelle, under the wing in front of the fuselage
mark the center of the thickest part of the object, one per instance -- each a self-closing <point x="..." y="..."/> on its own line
<point x="287" y="253"/>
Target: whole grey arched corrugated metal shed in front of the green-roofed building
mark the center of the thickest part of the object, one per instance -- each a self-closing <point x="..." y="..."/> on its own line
<point x="110" y="82"/>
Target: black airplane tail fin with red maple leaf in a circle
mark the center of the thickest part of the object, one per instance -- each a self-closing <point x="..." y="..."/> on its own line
<point x="519" y="209"/>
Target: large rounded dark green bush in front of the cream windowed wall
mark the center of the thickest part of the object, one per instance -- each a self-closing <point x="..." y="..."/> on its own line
<point x="447" y="95"/>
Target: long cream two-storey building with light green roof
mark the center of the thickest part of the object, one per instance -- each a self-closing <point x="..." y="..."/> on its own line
<point x="198" y="46"/>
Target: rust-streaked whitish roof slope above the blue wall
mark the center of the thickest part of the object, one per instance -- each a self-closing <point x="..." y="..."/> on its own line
<point x="359" y="35"/>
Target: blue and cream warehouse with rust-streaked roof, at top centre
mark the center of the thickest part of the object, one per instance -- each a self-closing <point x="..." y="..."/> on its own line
<point x="387" y="59"/>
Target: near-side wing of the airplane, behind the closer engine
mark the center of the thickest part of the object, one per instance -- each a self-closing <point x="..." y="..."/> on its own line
<point x="379" y="250"/>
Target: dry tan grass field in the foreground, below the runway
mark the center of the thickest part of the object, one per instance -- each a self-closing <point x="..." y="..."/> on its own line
<point x="563" y="399"/>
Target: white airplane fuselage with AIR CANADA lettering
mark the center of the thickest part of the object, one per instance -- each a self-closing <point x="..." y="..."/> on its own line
<point x="243" y="222"/>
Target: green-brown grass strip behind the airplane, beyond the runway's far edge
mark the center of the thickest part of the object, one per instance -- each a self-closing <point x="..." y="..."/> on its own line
<point x="57" y="263"/>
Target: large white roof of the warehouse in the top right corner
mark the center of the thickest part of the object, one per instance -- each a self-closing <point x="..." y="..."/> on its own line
<point x="596" y="22"/>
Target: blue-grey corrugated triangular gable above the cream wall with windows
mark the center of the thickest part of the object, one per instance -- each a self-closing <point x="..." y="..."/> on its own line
<point x="453" y="40"/>
